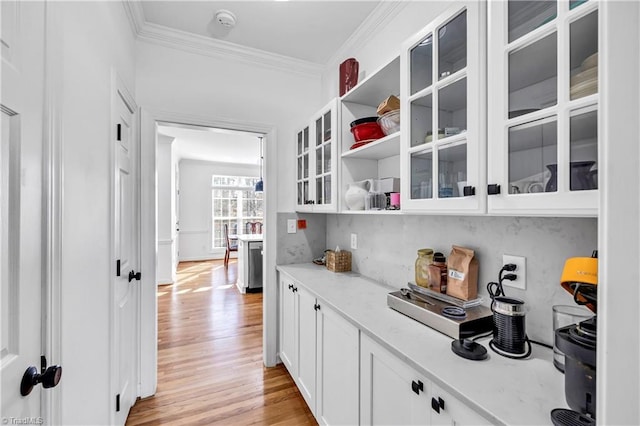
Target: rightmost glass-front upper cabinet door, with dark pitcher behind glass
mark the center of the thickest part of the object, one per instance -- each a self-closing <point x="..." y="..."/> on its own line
<point x="543" y="107"/>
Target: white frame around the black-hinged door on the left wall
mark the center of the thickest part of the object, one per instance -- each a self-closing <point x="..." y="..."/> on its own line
<point x="119" y="91"/>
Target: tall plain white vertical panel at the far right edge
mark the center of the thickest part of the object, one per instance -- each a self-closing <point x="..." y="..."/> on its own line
<point x="618" y="351"/>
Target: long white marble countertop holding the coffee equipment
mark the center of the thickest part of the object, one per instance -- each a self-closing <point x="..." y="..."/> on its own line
<point x="503" y="390"/>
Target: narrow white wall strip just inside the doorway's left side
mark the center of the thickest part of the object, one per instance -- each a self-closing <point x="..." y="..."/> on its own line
<point x="165" y="272"/>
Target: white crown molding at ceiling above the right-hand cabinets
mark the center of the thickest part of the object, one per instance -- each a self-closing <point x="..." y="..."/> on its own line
<point x="384" y="13"/>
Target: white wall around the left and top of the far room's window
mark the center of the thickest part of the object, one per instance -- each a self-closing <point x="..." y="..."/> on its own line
<point x="195" y="205"/>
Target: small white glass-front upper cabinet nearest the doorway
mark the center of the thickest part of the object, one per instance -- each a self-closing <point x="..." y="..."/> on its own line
<point x="316" y="151"/>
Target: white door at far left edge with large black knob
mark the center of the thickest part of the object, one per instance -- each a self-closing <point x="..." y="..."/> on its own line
<point x="21" y="227"/>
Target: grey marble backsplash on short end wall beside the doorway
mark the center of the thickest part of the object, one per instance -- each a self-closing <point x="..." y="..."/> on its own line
<point x="305" y="245"/>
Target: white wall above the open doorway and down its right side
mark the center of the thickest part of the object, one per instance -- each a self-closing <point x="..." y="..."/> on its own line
<point x="172" y="80"/>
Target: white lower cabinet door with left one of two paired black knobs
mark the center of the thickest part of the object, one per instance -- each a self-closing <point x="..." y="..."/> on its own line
<point x="390" y="391"/>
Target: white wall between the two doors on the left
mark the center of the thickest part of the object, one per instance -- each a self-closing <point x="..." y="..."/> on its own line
<point x="96" y="38"/>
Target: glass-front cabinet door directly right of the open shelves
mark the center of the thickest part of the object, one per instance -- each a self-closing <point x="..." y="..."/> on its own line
<point x="443" y="110"/>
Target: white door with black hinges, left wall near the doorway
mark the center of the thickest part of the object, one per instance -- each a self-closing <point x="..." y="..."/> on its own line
<point x="126" y="291"/>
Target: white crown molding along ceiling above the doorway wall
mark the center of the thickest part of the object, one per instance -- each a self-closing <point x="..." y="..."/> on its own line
<point x="194" y="43"/>
